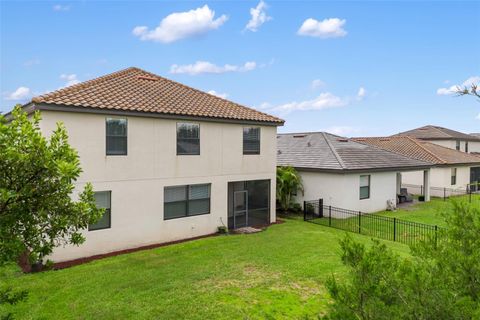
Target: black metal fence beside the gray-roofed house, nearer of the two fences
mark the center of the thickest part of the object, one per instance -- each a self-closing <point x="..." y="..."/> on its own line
<point x="369" y="224"/>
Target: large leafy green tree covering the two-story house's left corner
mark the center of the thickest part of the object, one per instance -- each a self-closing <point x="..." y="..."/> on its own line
<point x="37" y="210"/>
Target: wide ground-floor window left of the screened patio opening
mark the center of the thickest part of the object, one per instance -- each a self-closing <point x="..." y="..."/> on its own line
<point x="189" y="200"/>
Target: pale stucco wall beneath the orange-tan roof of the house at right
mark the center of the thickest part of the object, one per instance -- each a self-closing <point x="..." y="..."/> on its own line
<point x="440" y="178"/>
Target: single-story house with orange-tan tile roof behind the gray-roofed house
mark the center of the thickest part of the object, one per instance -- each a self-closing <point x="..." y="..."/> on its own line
<point x="452" y="169"/>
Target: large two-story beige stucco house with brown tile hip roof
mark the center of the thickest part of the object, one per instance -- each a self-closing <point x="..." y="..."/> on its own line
<point x="168" y="162"/>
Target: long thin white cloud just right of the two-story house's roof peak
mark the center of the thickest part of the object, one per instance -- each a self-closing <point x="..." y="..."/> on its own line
<point x="200" y="67"/>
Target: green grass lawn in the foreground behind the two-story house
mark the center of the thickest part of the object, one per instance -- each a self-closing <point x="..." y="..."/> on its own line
<point x="275" y="274"/>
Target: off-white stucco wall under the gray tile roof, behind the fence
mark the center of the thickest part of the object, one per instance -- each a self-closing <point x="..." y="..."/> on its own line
<point x="343" y="190"/>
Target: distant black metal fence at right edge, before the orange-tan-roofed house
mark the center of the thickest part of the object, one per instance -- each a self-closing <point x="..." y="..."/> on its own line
<point x="471" y="192"/>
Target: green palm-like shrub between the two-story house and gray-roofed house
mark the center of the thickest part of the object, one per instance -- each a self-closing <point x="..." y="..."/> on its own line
<point x="289" y="183"/>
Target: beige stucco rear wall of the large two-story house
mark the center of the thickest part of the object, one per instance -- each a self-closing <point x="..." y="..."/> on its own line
<point x="138" y="179"/>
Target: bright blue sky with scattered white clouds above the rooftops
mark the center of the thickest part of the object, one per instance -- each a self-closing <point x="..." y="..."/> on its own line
<point x="354" y="68"/>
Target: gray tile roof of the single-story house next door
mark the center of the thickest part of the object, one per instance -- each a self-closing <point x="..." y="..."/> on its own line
<point x="321" y="151"/>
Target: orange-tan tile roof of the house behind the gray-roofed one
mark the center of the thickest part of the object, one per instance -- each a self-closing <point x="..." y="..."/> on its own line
<point x="421" y="150"/>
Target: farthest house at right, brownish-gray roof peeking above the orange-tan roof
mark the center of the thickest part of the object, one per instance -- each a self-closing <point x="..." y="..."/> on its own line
<point x="445" y="137"/>
